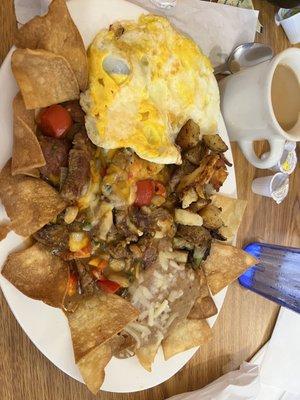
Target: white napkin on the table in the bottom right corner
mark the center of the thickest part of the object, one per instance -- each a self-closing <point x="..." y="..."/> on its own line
<point x="273" y="373"/>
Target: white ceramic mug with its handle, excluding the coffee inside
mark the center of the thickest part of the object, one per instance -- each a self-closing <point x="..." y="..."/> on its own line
<point x="246" y="105"/>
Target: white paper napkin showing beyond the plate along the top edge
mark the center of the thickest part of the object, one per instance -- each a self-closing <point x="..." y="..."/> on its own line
<point x="216" y="28"/>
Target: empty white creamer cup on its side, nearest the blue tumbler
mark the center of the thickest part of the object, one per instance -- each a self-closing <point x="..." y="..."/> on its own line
<point x="274" y="186"/>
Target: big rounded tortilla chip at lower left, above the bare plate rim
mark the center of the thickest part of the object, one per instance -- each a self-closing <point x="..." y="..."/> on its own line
<point x="38" y="274"/>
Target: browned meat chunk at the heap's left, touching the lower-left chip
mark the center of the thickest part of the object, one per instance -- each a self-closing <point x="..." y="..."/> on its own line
<point x="53" y="236"/>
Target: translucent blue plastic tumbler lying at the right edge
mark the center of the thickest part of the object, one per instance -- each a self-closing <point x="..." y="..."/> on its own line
<point x="276" y="276"/>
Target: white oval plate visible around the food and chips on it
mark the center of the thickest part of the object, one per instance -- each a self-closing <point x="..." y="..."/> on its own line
<point x="47" y="327"/>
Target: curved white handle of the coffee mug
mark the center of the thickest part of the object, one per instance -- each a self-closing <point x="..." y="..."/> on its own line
<point x="276" y="150"/>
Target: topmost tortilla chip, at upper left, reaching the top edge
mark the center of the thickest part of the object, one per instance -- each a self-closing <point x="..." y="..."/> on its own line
<point x="56" y="32"/>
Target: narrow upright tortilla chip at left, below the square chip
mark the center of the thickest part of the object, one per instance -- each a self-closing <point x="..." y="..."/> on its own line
<point x="27" y="153"/>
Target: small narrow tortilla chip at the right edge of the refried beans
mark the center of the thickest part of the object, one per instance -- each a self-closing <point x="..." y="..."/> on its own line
<point x="204" y="306"/>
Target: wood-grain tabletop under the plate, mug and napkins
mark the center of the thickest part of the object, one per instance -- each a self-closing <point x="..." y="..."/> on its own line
<point x="246" y="320"/>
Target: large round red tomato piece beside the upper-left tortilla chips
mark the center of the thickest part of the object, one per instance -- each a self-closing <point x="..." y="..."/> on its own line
<point x="55" y="121"/>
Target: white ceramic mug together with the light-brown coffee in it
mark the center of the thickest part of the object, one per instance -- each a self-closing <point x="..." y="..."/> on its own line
<point x="263" y="102"/>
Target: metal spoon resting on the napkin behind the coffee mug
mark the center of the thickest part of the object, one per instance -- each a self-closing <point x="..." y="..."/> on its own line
<point x="244" y="56"/>
